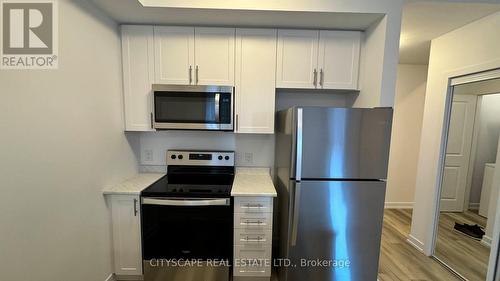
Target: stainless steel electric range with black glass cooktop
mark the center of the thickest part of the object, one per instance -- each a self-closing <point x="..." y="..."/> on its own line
<point x="187" y="218"/>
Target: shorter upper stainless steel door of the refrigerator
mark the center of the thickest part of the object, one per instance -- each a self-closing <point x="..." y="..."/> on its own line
<point x="342" y="143"/>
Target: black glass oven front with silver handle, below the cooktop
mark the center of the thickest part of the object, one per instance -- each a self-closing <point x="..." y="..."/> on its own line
<point x="187" y="229"/>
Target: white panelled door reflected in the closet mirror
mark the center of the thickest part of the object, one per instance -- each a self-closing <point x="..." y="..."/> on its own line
<point x="458" y="152"/>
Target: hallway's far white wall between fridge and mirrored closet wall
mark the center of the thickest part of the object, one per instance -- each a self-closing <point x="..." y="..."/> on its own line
<point x="406" y="129"/>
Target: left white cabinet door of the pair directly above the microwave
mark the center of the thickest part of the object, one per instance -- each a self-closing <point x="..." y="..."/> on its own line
<point x="174" y="55"/>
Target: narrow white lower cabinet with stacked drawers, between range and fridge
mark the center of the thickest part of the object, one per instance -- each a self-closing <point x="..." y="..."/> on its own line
<point x="252" y="237"/>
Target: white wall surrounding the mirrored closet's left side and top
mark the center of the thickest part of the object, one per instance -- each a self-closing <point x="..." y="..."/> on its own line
<point x="469" y="49"/>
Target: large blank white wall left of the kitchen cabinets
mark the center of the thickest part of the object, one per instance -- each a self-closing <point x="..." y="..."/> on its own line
<point x="61" y="142"/>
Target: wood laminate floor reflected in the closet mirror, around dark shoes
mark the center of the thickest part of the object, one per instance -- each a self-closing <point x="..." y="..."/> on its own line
<point x="467" y="256"/>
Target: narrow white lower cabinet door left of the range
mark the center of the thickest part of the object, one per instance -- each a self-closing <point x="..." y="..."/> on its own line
<point x="126" y="234"/>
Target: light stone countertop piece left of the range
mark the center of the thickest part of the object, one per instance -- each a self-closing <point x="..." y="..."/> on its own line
<point x="133" y="186"/>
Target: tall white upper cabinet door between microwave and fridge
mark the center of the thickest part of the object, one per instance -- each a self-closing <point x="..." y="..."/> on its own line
<point x="255" y="80"/>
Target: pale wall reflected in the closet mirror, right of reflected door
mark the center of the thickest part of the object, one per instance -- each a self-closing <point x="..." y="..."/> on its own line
<point x="487" y="140"/>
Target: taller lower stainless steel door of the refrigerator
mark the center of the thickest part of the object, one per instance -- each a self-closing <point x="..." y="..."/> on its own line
<point x="339" y="225"/>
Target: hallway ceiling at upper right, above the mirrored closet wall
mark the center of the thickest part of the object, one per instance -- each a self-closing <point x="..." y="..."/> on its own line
<point x="425" y="20"/>
